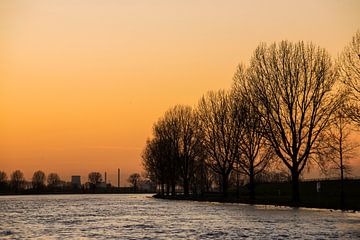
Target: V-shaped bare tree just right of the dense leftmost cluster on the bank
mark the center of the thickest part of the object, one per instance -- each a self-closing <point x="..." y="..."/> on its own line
<point x="218" y="116"/>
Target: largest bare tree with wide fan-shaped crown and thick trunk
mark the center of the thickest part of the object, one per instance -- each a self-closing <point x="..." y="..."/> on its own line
<point x="293" y="85"/>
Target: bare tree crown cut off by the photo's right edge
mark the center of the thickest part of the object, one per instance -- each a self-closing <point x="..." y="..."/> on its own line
<point x="349" y="69"/>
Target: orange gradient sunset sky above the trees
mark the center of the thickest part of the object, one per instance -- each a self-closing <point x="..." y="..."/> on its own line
<point x="82" y="82"/>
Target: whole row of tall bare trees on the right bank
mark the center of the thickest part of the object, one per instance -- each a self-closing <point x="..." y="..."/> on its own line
<point x="288" y="111"/>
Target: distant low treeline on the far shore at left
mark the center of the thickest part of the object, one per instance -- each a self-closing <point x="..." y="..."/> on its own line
<point x="40" y="183"/>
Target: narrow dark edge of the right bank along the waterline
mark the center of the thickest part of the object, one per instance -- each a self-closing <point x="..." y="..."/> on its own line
<point x="243" y="201"/>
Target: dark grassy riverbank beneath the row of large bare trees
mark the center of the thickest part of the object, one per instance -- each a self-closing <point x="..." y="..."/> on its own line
<point x="280" y="194"/>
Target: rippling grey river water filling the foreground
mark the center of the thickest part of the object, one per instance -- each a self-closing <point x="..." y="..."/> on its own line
<point x="142" y="217"/>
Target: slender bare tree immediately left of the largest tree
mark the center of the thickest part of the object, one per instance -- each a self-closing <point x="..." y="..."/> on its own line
<point x="255" y="149"/>
